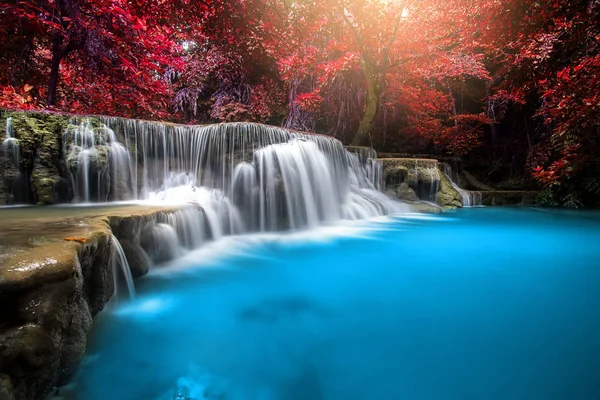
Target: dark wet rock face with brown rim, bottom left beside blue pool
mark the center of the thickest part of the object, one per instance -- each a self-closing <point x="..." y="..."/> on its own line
<point x="49" y="295"/>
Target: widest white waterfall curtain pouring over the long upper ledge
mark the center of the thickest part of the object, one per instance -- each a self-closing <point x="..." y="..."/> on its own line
<point x="245" y="177"/>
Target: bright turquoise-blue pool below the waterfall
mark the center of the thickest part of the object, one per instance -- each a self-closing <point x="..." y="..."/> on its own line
<point x="482" y="304"/>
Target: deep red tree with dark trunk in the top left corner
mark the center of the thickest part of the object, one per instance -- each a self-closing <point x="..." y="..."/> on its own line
<point x="110" y="59"/>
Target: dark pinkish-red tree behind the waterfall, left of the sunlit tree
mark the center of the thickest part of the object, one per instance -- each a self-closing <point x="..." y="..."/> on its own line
<point x="227" y="73"/>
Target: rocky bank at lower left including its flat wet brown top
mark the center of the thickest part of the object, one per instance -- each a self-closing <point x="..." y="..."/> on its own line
<point x="51" y="288"/>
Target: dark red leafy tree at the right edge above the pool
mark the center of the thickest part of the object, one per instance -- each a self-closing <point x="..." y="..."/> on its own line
<point x="547" y="55"/>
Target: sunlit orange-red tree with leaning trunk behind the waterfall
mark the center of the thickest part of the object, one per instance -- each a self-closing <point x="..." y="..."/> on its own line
<point x="368" y="59"/>
